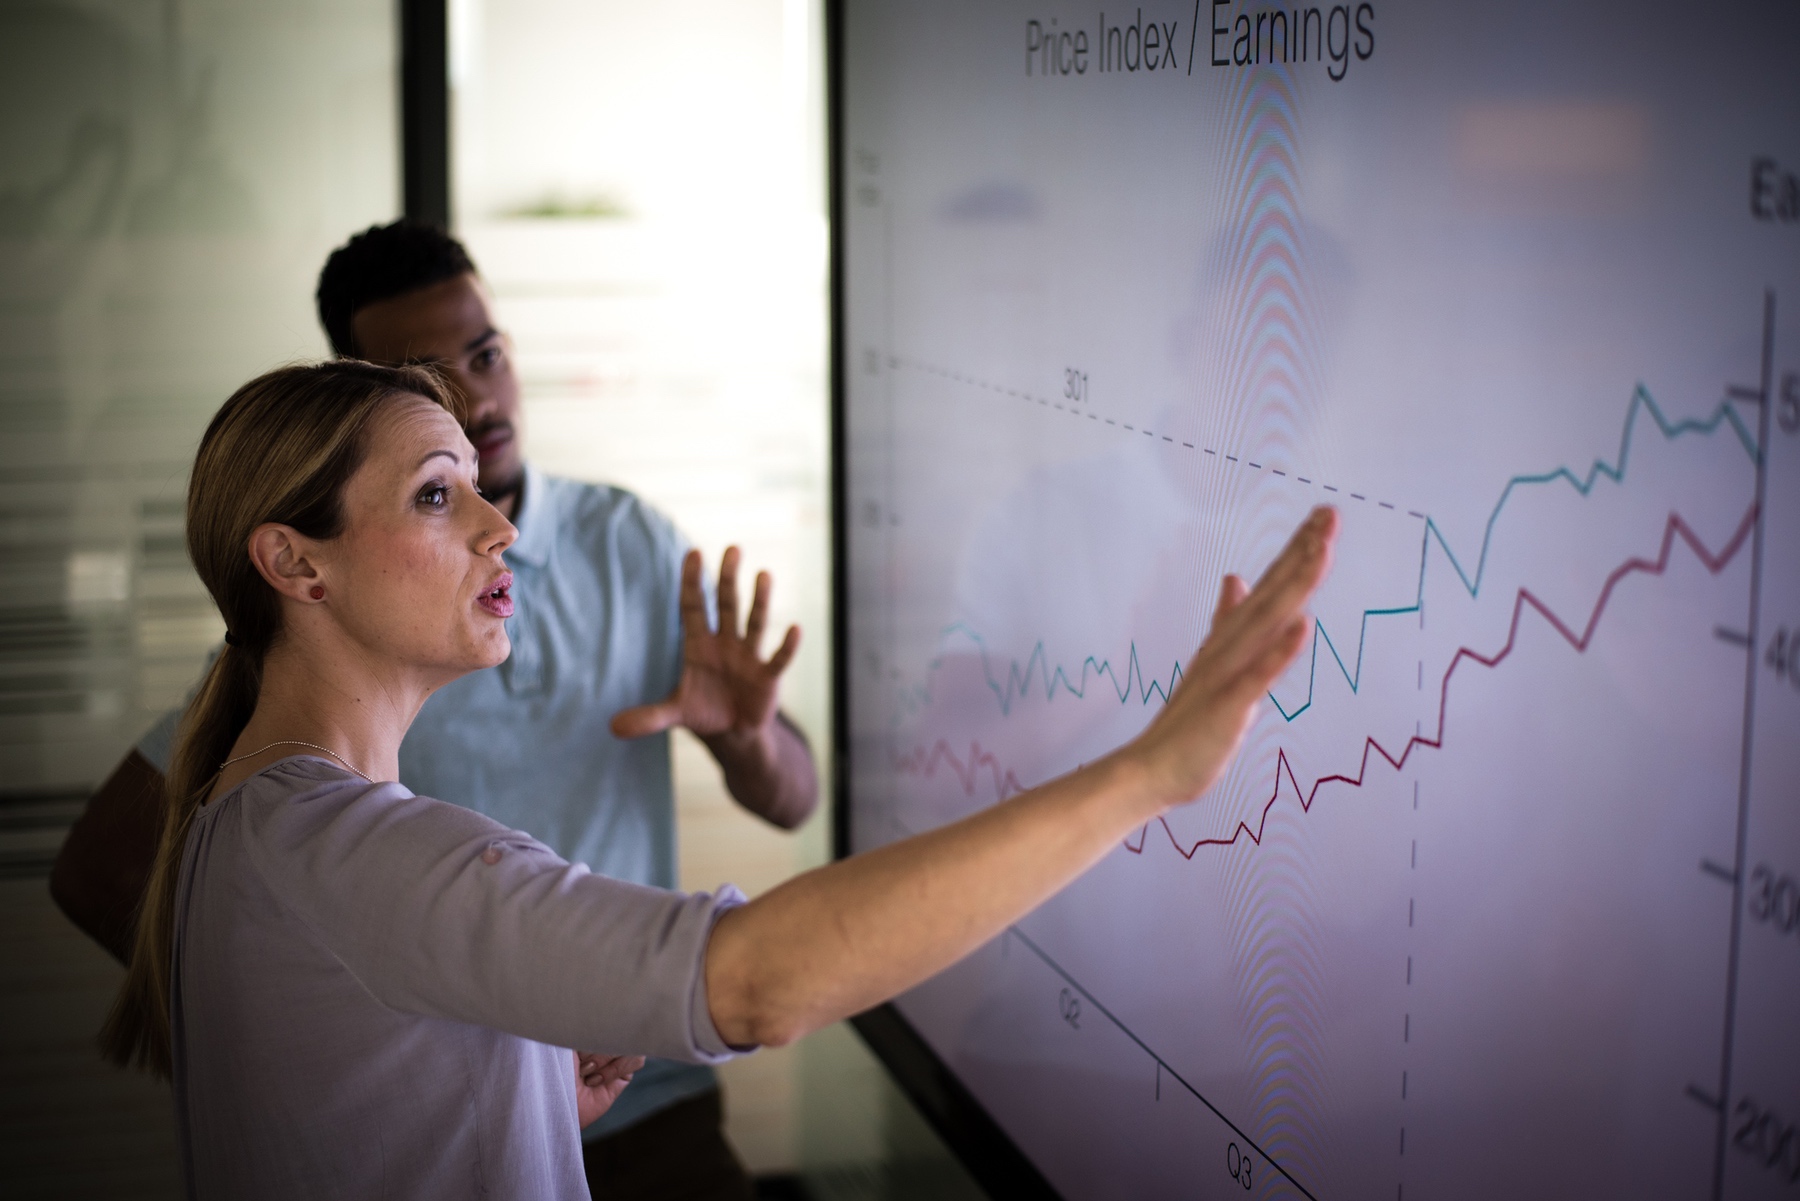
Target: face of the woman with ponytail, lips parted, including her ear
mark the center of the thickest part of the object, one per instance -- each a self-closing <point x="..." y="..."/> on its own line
<point x="417" y="573"/>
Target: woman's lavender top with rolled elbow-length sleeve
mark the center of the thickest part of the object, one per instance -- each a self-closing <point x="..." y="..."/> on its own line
<point x="375" y="991"/>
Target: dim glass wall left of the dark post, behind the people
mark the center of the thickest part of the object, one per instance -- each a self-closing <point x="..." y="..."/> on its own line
<point x="174" y="174"/>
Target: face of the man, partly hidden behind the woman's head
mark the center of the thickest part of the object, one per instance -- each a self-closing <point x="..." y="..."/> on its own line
<point x="449" y="327"/>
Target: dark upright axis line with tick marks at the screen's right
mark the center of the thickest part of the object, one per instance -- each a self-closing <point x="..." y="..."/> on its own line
<point x="1765" y="404"/>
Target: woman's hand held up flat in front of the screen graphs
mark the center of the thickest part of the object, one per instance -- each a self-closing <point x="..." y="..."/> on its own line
<point x="1255" y="635"/>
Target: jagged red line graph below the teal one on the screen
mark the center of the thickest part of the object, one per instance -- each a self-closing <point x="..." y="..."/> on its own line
<point x="1005" y="782"/>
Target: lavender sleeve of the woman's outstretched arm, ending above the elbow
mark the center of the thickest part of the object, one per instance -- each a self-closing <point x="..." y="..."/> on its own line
<point x="445" y="914"/>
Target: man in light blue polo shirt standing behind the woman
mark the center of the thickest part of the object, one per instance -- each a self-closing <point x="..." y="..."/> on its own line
<point x="597" y="635"/>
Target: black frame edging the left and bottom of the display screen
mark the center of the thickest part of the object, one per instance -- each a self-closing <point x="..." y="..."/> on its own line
<point x="953" y="1112"/>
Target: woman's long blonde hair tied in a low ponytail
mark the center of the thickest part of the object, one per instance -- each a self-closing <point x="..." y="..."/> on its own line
<point x="280" y="451"/>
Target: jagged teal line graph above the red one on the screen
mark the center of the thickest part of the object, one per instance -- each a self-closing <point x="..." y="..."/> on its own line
<point x="1137" y="683"/>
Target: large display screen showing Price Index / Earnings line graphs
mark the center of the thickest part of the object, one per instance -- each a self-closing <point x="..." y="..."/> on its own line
<point x="1502" y="896"/>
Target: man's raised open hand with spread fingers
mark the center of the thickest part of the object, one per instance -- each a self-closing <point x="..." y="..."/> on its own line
<point x="726" y="689"/>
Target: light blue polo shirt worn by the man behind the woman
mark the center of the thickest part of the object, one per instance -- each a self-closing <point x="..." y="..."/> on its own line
<point x="595" y="629"/>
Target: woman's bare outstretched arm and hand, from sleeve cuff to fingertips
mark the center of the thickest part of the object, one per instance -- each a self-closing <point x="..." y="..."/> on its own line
<point x="845" y="937"/>
